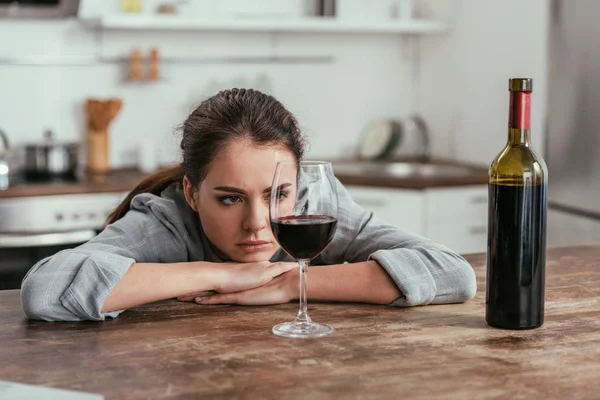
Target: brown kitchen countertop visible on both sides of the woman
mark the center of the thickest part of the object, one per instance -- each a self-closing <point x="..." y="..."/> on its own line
<point x="124" y="180"/>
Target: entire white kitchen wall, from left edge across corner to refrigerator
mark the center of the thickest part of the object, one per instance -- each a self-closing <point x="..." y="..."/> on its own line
<point x="458" y="80"/>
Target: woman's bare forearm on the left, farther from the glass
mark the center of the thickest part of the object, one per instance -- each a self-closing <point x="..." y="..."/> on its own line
<point x="144" y="283"/>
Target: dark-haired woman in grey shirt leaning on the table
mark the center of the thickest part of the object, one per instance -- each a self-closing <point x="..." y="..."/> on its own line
<point x="200" y="232"/>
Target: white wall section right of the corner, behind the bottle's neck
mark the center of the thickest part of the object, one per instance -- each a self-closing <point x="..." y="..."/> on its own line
<point x="463" y="76"/>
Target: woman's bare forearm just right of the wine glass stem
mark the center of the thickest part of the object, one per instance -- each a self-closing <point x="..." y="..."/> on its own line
<point x="363" y="282"/>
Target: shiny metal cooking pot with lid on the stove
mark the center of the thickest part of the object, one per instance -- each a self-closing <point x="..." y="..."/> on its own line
<point x="51" y="158"/>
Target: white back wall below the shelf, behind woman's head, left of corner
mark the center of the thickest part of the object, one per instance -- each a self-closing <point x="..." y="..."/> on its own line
<point x="368" y="78"/>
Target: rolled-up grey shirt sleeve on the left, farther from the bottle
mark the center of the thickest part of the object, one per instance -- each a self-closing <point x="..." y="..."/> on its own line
<point x="73" y="284"/>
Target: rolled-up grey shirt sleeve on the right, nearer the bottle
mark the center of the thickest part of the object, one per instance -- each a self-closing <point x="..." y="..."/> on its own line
<point x="426" y="272"/>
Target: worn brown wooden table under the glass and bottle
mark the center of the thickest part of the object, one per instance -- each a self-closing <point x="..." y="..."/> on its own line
<point x="180" y="350"/>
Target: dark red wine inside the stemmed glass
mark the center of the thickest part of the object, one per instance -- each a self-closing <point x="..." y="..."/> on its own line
<point x="304" y="236"/>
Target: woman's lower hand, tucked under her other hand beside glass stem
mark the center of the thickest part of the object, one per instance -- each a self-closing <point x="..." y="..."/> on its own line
<point x="281" y="289"/>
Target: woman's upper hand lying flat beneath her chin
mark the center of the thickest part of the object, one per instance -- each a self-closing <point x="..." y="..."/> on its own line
<point x="239" y="277"/>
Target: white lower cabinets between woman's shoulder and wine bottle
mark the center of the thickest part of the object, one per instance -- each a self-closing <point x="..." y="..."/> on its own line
<point x="456" y="216"/>
